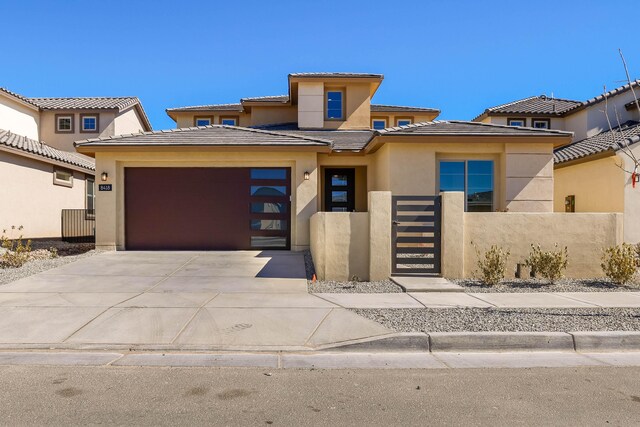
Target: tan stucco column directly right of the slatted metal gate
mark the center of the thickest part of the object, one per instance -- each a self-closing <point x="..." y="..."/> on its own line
<point x="452" y="234"/>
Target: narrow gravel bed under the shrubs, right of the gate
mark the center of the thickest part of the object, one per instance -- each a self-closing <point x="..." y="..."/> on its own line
<point x="533" y="285"/>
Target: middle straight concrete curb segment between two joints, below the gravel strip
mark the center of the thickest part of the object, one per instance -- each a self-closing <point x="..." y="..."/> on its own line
<point x="500" y="341"/>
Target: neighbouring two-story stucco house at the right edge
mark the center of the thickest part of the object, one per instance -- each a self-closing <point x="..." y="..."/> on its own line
<point x="594" y="172"/>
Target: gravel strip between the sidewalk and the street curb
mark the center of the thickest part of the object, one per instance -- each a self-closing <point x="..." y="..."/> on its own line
<point x="505" y="319"/>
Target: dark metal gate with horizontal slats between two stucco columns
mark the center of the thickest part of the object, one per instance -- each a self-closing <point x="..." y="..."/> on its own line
<point x="416" y="235"/>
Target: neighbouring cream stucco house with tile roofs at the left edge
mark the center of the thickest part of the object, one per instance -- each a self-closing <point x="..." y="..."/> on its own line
<point x="41" y="171"/>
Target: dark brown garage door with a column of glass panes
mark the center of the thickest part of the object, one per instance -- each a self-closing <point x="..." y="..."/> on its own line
<point x="207" y="208"/>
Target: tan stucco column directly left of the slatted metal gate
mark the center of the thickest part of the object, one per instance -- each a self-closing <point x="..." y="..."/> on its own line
<point x="379" y="235"/>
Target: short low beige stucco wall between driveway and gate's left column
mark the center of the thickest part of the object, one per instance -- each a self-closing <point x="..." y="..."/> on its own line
<point x="340" y="245"/>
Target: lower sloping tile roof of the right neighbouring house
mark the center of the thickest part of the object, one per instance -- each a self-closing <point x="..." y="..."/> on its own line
<point x="610" y="140"/>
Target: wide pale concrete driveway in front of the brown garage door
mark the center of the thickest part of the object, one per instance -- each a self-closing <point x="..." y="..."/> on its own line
<point x="242" y="300"/>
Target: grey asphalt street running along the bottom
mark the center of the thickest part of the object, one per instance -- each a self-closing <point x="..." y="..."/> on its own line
<point x="43" y="395"/>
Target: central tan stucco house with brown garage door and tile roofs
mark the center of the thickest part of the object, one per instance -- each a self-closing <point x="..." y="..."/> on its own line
<point x="219" y="186"/>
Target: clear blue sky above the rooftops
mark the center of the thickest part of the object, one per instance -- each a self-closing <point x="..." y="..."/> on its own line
<point x="458" y="56"/>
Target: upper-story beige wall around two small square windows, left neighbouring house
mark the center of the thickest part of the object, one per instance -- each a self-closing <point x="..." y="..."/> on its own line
<point x="64" y="141"/>
